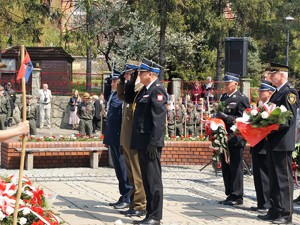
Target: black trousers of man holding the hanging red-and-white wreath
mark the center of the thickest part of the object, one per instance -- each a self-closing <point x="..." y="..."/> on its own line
<point x="233" y="173"/>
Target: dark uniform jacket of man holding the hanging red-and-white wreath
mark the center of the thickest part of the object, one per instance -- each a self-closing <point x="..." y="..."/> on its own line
<point x="234" y="107"/>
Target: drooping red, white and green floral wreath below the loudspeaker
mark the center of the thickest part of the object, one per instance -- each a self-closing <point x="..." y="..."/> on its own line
<point x="217" y="134"/>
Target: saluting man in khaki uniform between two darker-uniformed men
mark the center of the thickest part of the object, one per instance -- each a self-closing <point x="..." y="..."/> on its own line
<point x="138" y="197"/>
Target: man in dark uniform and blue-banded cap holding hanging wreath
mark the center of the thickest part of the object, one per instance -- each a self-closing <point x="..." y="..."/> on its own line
<point x="235" y="103"/>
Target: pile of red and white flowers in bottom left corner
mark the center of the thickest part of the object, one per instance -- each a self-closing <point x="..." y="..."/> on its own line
<point x="32" y="204"/>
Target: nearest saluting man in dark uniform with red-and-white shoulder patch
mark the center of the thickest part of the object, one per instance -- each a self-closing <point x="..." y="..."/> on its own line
<point x="148" y="132"/>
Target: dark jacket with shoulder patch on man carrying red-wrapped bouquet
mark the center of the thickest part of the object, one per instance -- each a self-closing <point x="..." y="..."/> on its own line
<point x="284" y="138"/>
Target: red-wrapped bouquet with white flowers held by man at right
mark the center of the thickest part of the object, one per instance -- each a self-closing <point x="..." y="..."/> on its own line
<point x="257" y="123"/>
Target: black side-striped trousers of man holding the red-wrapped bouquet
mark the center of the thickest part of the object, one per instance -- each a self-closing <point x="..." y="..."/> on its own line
<point x="281" y="182"/>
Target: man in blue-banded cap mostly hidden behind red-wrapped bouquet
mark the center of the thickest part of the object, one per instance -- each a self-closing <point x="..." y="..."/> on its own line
<point x="259" y="161"/>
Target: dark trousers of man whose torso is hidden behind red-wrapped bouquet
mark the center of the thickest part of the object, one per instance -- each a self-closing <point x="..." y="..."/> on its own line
<point x="261" y="180"/>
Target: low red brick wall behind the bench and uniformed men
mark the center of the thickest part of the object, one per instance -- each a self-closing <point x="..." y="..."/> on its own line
<point x="174" y="153"/>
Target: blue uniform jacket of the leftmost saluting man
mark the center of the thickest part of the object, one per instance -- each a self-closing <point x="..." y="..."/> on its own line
<point x="113" y="121"/>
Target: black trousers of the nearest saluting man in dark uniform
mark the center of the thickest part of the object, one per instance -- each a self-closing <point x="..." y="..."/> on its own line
<point x="151" y="175"/>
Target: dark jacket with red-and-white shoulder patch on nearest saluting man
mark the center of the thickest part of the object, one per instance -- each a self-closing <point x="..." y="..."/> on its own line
<point x="149" y="121"/>
